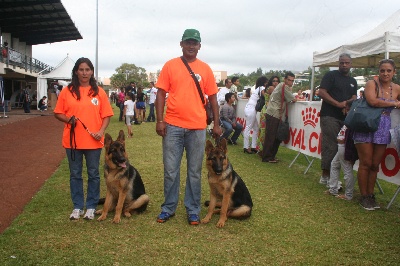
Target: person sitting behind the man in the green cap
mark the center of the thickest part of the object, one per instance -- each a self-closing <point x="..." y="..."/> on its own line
<point x="228" y="119"/>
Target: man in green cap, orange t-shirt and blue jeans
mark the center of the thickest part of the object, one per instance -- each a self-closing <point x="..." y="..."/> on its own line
<point x="184" y="125"/>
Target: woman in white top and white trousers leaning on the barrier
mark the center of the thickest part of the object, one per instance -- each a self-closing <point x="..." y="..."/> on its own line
<point x="250" y="114"/>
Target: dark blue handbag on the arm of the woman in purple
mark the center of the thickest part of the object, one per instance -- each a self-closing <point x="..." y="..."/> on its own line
<point x="362" y="117"/>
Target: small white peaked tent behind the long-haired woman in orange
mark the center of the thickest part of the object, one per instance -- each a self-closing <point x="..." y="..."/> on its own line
<point x="61" y="72"/>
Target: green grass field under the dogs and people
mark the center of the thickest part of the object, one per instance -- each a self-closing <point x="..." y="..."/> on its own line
<point x="292" y="223"/>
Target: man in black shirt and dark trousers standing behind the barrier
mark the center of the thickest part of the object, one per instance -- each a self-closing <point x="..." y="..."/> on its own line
<point x="337" y="89"/>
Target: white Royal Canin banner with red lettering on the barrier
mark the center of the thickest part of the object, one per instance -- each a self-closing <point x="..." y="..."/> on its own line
<point x="305" y="136"/>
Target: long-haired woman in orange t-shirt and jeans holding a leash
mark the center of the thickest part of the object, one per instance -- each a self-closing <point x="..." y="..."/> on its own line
<point x="85" y="109"/>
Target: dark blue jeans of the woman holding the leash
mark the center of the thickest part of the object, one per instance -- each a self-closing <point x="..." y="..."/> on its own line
<point x="76" y="182"/>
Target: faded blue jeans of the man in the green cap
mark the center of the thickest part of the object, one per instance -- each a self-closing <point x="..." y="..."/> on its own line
<point x="175" y="141"/>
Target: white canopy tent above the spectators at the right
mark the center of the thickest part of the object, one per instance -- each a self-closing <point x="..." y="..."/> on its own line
<point x="366" y="51"/>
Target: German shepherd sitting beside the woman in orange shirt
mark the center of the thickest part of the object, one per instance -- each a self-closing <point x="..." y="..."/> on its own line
<point x="125" y="189"/>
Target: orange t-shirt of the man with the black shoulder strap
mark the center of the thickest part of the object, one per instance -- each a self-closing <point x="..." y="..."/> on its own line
<point x="184" y="106"/>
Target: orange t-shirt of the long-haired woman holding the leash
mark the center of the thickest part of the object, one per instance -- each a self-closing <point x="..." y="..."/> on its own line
<point x="90" y="110"/>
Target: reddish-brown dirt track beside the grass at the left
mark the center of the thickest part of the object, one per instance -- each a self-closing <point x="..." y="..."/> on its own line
<point x="30" y="152"/>
